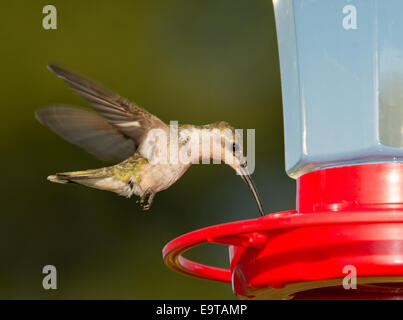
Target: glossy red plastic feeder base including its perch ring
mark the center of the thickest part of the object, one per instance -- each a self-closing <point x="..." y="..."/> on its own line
<point x="349" y="222"/>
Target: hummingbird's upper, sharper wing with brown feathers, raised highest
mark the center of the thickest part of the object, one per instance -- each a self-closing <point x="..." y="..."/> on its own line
<point x="126" y="116"/>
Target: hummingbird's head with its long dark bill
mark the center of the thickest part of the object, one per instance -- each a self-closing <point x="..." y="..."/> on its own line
<point x="226" y="146"/>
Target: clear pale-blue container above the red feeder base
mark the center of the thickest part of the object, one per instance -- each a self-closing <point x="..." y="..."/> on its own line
<point x="342" y="81"/>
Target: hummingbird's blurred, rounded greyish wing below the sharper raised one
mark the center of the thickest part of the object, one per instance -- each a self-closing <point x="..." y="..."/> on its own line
<point x="88" y="130"/>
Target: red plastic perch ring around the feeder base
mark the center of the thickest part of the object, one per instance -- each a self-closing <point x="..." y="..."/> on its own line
<point x="253" y="233"/>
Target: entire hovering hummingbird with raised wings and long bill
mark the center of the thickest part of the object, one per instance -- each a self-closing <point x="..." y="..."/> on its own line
<point x="120" y="131"/>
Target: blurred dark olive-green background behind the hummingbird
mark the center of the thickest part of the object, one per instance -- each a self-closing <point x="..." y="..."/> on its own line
<point x="195" y="61"/>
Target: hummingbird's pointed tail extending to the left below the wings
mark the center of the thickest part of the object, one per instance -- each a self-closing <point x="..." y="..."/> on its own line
<point x="95" y="178"/>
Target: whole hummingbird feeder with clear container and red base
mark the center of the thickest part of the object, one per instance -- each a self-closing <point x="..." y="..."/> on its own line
<point x="342" y="83"/>
